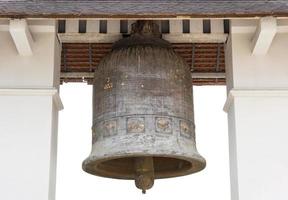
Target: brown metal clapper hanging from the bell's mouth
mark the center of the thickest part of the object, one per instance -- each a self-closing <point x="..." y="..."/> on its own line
<point x="144" y="173"/>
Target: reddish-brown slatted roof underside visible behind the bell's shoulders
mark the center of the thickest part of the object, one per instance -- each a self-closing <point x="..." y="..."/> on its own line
<point x="79" y="60"/>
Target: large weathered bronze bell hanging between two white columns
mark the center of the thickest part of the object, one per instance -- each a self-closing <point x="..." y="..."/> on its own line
<point x="143" y="120"/>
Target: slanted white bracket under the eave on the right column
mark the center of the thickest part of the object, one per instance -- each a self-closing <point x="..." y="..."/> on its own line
<point x="264" y="35"/>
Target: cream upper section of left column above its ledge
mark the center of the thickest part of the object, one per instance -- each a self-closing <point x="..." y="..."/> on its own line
<point x="38" y="70"/>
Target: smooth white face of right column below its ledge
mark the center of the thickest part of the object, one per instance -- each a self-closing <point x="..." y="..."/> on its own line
<point x="261" y="137"/>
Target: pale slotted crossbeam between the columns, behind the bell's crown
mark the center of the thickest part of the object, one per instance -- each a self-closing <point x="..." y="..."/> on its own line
<point x="175" y="34"/>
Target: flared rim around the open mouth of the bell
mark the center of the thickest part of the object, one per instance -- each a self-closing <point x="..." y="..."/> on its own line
<point x="195" y="159"/>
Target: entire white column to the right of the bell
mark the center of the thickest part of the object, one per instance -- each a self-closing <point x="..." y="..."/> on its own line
<point x="257" y="107"/>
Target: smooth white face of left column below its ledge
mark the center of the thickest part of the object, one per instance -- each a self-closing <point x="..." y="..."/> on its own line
<point x="25" y="132"/>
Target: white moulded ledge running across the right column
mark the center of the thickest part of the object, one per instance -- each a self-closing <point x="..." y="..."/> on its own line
<point x="253" y="93"/>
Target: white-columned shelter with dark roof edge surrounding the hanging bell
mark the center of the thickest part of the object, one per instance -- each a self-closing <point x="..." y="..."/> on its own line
<point x="238" y="43"/>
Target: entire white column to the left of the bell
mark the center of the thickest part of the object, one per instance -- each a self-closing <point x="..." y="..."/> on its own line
<point x="29" y="104"/>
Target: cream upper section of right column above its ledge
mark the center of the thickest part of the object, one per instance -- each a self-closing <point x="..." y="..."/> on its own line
<point x="258" y="72"/>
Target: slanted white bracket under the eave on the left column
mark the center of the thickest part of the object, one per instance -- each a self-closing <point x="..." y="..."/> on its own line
<point x="21" y="36"/>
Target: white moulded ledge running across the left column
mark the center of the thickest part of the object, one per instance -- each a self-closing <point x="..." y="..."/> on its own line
<point x="34" y="92"/>
